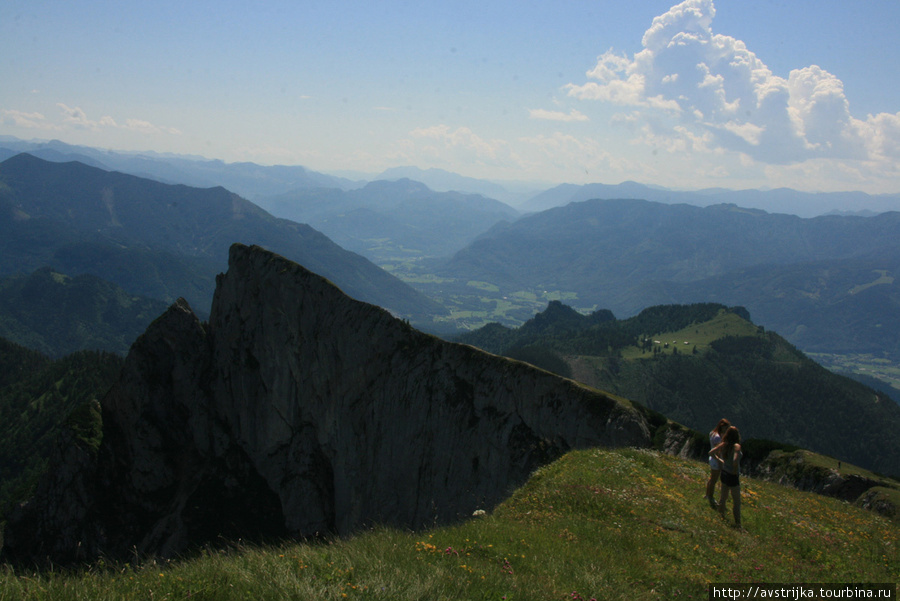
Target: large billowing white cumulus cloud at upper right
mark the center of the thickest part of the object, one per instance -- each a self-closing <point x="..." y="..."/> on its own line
<point x="720" y="92"/>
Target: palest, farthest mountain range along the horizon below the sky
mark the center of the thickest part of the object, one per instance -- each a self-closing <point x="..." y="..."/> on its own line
<point x="256" y="182"/>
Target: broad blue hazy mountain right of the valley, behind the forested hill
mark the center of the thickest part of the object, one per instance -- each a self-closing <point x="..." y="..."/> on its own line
<point x="824" y="283"/>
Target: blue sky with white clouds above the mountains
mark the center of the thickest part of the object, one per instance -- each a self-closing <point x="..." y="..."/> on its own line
<point x="733" y="93"/>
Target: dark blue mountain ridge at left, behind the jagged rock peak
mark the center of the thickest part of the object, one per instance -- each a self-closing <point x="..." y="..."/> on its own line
<point x="162" y="241"/>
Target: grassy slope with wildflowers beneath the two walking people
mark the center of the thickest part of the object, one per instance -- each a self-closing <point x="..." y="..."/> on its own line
<point x="622" y="524"/>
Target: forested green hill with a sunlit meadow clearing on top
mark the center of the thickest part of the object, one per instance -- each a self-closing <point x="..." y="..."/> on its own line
<point x="698" y="363"/>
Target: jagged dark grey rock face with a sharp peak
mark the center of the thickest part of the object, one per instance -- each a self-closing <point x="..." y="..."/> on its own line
<point x="299" y="411"/>
